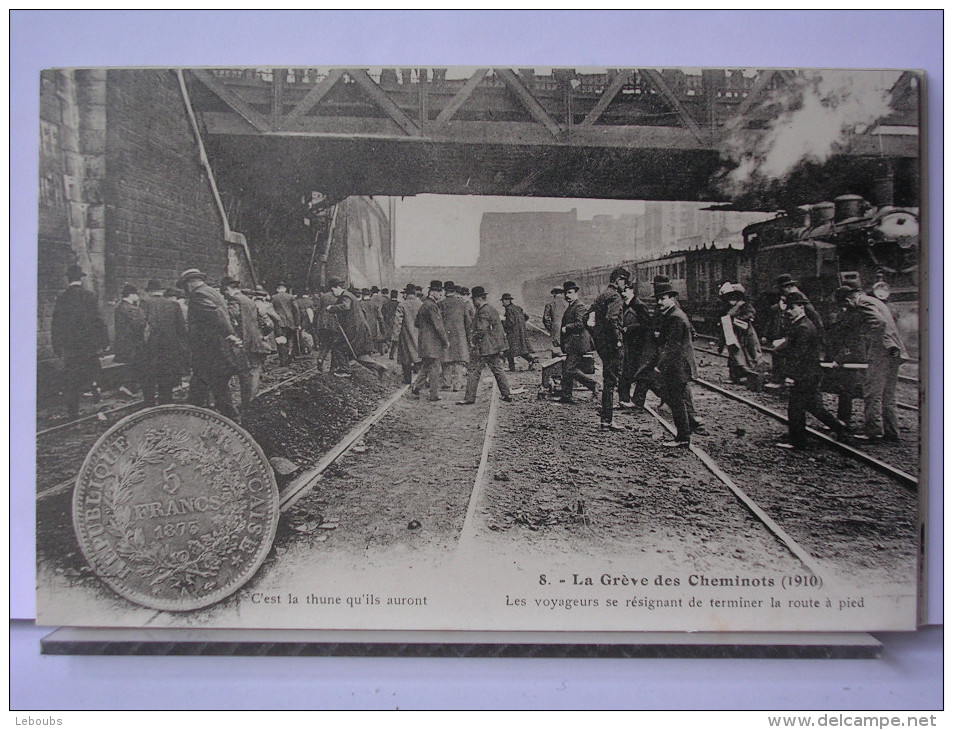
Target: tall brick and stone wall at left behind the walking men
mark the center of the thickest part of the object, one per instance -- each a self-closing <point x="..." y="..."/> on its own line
<point x="122" y="191"/>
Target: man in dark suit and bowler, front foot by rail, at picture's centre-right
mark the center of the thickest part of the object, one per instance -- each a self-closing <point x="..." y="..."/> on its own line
<point x="676" y="362"/>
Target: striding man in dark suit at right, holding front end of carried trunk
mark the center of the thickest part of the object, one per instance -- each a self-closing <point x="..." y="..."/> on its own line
<point x="802" y="350"/>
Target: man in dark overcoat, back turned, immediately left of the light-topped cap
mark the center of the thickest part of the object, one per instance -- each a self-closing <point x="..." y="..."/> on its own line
<point x="166" y="349"/>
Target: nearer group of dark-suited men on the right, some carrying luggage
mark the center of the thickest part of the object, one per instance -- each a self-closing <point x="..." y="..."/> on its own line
<point x="652" y="350"/>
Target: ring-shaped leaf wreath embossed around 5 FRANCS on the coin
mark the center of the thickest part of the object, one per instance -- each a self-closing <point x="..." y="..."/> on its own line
<point x="168" y="566"/>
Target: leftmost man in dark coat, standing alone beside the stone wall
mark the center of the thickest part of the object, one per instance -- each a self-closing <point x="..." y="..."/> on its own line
<point x="79" y="334"/>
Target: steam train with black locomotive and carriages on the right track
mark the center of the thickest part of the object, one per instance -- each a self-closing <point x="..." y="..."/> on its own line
<point x="822" y="246"/>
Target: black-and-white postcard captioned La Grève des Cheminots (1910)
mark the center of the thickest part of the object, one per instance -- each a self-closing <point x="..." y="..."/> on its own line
<point x="573" y="349"/>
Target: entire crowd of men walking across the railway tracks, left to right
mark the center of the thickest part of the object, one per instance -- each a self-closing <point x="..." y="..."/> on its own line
<point x="444" y="336"/>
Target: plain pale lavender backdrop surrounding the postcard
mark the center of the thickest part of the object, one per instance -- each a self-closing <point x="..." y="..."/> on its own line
<point x="908" y="678"/>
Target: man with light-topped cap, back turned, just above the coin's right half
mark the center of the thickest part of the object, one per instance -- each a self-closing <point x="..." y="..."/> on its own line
<point x="211" y="343"/>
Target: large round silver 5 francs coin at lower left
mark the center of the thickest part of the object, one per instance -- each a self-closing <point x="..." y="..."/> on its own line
<point x="175" y="507"/>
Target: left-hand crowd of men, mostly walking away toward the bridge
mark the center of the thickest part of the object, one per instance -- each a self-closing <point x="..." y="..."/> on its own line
<point x="441" y="337"/>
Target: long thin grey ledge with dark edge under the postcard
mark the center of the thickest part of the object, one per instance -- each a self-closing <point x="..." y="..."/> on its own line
<point x="278" y="642"/>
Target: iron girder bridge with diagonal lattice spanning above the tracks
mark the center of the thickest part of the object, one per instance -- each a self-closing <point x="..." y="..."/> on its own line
<point x="628" y="133"/>
